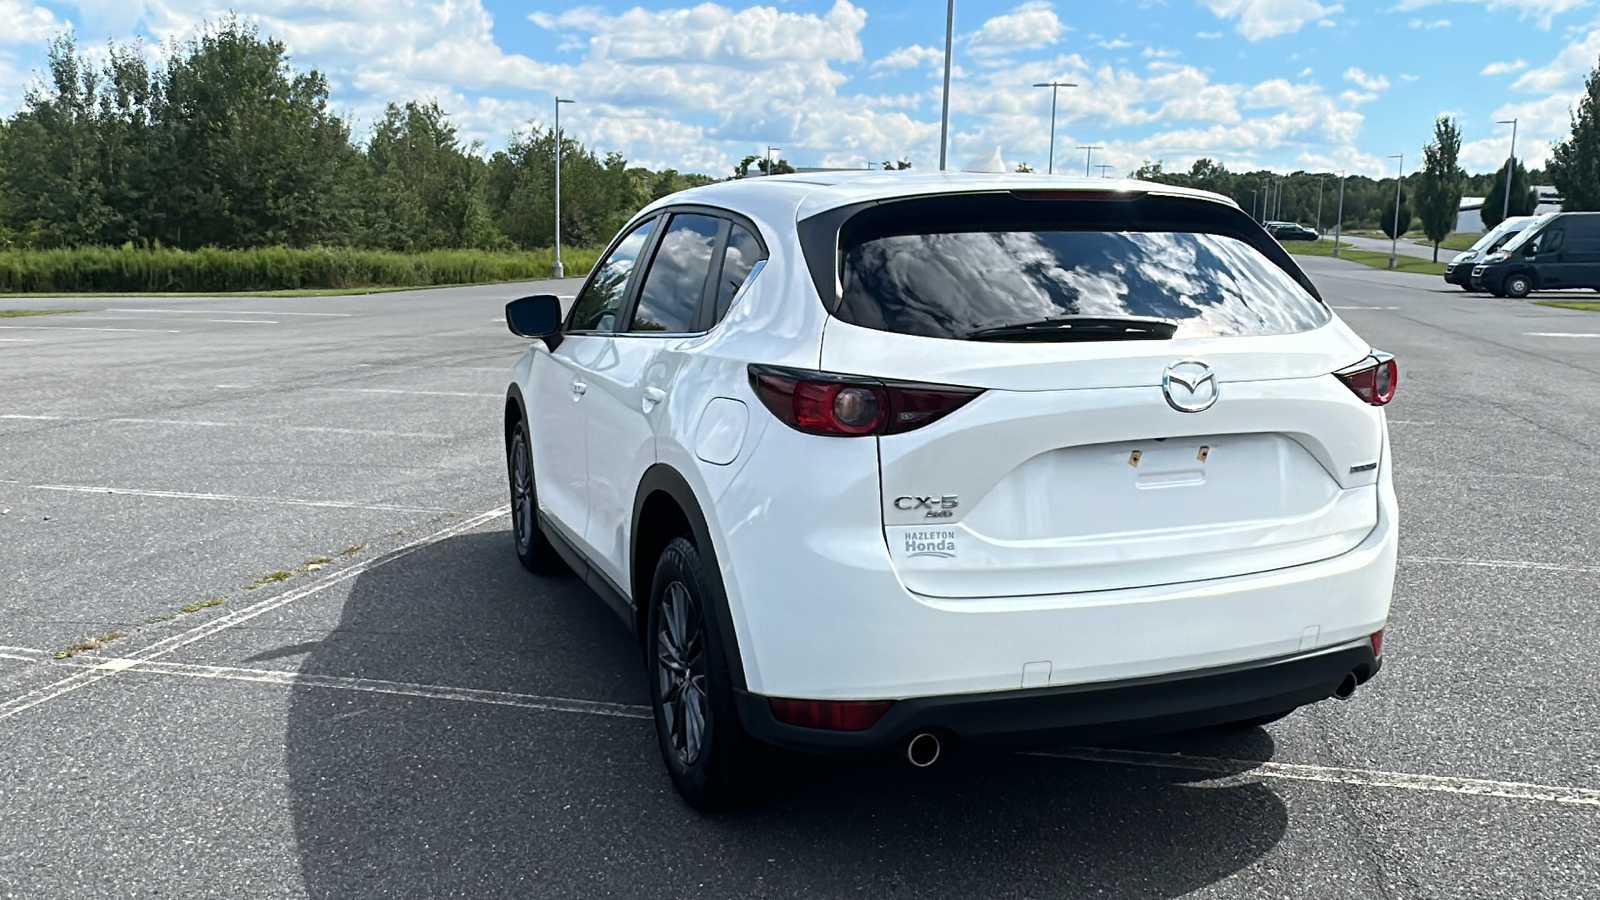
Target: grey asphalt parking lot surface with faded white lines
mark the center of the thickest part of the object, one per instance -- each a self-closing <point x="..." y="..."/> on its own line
<point x="388" y="705"/>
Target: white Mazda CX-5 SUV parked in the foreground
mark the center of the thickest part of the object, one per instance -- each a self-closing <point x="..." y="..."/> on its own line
<point x="895" y="460"/>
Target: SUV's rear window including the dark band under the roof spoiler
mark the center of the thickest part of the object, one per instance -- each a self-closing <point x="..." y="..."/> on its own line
<point x="991" y="265"/>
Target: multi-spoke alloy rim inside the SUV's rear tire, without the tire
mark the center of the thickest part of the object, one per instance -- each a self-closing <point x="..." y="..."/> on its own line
<point x="681" y="672"/>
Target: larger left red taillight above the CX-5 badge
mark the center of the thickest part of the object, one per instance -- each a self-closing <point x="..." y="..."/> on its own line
<point x="846" y="406"/>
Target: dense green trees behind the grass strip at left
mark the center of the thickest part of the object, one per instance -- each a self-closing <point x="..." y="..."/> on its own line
<point x="228" y="145"/>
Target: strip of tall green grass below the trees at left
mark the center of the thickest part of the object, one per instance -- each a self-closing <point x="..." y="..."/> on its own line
<point x="279" y="271"/>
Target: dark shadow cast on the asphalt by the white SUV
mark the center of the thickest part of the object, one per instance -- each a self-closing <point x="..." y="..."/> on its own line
<point x="420" y="797"/>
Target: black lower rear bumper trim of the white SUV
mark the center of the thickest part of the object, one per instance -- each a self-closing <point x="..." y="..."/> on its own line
<point x="1089" y="712"/>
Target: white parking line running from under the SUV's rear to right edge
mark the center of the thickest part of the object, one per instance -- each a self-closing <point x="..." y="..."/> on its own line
<point x="1246" y="769"/>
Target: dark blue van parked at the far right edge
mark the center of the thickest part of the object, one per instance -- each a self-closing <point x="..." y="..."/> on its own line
<point x="1559" y="252"/>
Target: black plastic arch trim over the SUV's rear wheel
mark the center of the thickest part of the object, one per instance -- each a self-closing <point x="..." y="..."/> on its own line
<point x="666" y="508"/>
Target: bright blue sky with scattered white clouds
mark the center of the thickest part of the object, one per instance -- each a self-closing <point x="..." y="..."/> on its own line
<point x="1281" y="84"/>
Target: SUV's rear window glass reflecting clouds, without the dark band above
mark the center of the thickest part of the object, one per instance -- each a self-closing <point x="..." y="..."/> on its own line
<point x="953" y="284"/>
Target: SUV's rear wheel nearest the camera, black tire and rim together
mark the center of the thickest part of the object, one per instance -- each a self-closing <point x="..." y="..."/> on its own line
<point x="714" y="765"/>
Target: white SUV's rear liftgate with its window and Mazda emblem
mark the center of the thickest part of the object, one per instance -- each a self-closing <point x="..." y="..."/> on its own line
<point x="1094" y="465"/>
